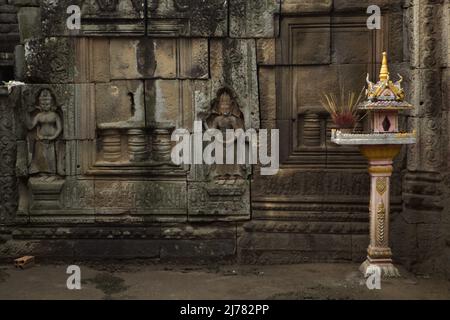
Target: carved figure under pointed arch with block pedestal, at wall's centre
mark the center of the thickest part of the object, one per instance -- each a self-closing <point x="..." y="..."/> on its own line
<point x="224" y="194"/>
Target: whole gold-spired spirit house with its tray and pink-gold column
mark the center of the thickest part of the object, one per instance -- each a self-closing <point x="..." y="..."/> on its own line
<point x="384" y="101"/>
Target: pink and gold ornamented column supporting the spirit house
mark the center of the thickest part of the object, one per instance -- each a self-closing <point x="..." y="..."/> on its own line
<point x="380" y="169"/>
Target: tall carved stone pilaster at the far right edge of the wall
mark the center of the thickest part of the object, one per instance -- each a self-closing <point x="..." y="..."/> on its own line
<point x="422" y="188"/>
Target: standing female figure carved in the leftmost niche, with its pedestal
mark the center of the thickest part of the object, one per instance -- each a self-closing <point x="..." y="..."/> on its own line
<point x="46" y="151"/>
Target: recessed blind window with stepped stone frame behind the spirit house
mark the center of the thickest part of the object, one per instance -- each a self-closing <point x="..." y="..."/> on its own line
<point x="319" y="52"/>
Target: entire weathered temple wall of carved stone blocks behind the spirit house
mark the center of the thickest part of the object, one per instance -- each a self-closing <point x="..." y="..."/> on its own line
<point x="105" y="185"/>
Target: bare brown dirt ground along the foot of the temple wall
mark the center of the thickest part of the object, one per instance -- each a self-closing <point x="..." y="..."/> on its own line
<point x="142" y="281"/>
